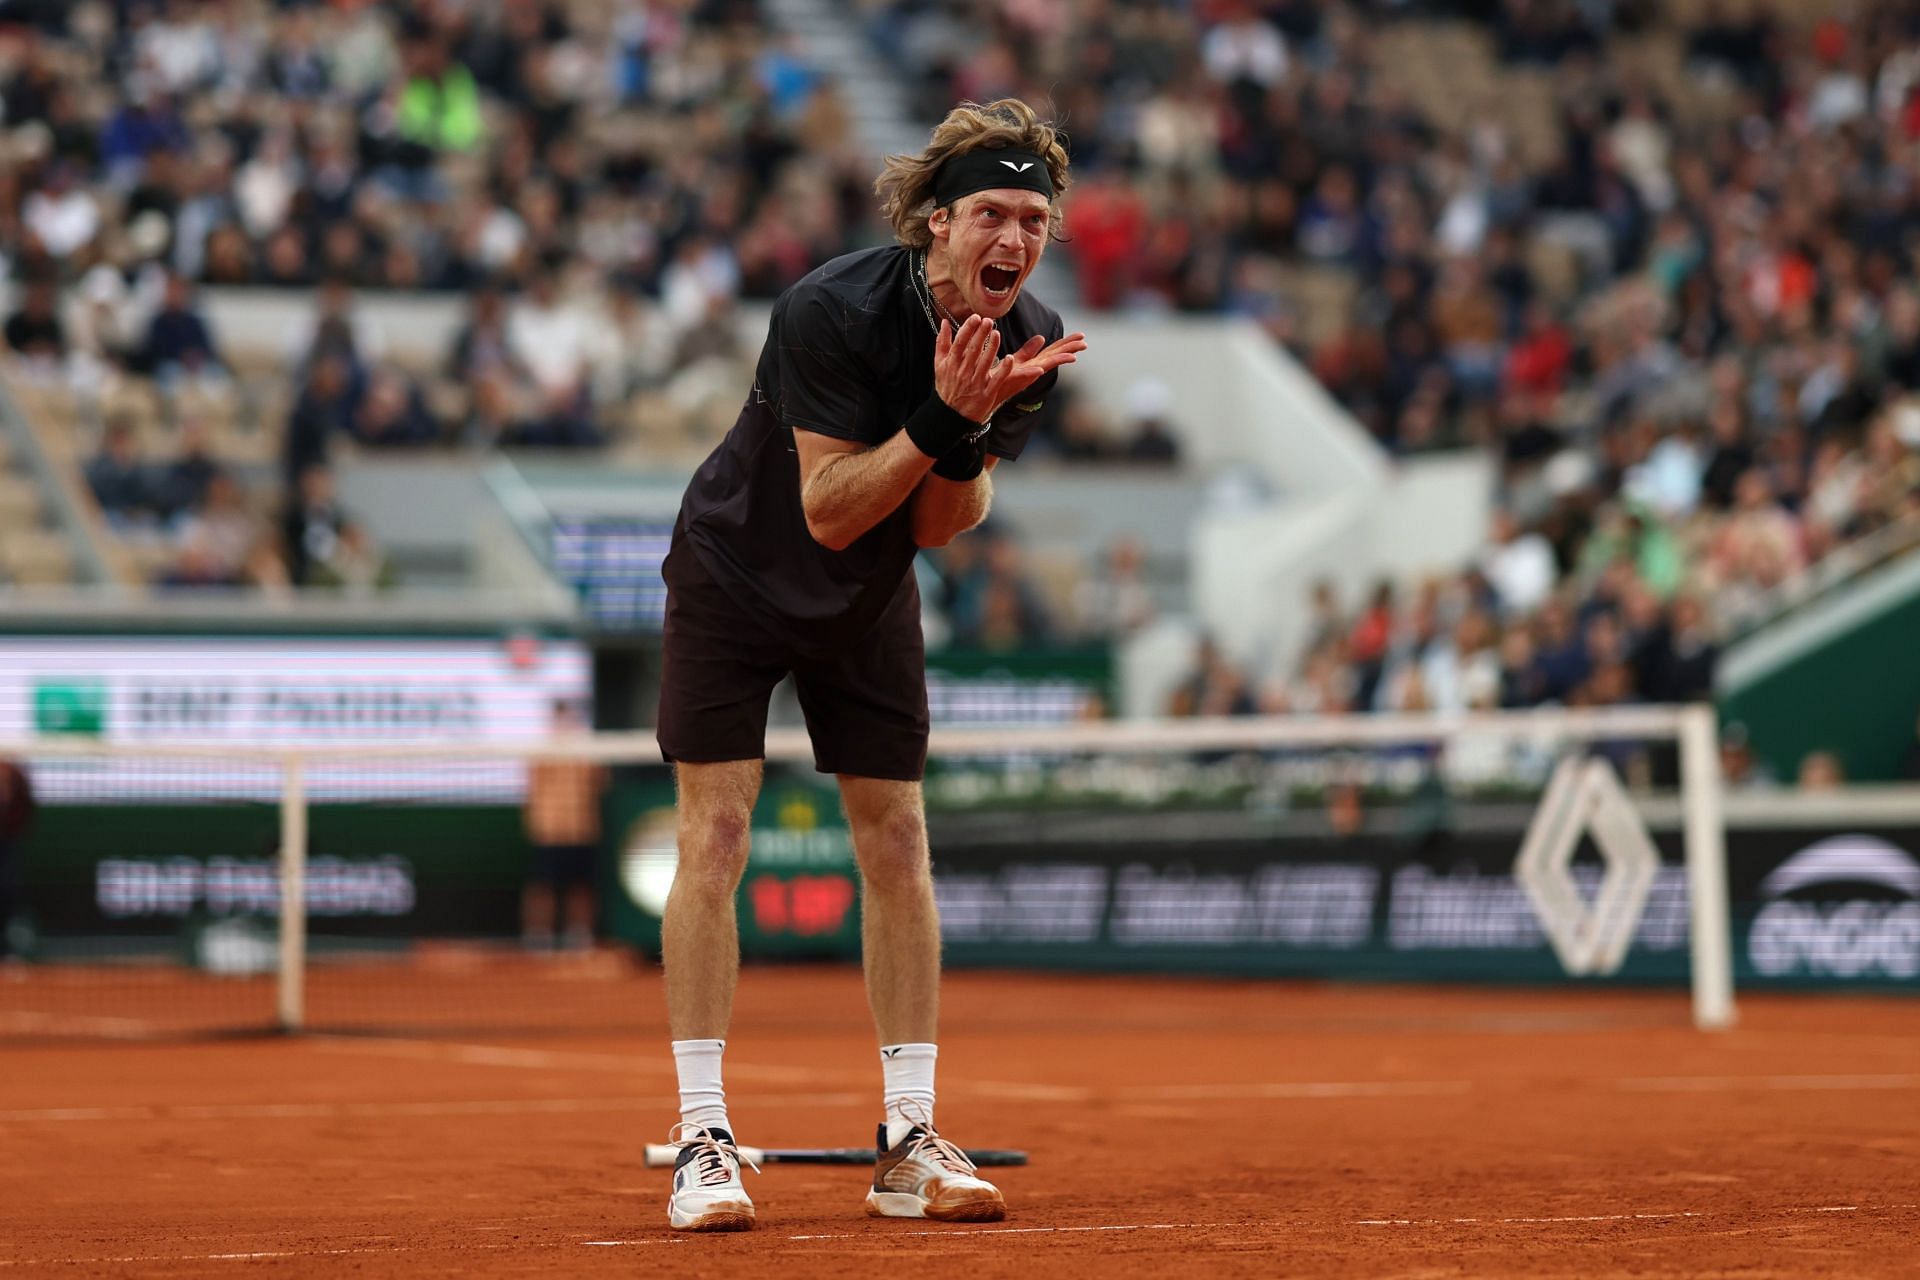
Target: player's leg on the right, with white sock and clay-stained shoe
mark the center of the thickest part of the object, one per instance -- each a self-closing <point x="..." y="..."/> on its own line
<point x="919" y="1173"/>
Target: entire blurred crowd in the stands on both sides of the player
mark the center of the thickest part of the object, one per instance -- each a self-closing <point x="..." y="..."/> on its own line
<point x="1685" y="329"/>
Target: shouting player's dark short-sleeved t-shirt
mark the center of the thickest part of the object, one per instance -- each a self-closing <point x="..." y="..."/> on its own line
<point x="848" y="354"/>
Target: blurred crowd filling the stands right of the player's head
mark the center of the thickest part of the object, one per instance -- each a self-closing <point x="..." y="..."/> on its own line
<point x="1679" y="302"/>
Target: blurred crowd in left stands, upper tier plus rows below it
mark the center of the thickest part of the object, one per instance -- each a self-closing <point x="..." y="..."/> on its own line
<point x="602" y="183"/>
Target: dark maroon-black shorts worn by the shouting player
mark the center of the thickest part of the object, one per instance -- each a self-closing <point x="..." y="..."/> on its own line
<point x="865" y="705"/>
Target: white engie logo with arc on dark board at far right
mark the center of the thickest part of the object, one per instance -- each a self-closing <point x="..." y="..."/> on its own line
<point x="1848" y="909"/>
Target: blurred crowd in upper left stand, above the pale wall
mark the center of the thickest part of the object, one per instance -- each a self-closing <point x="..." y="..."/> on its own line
<point x="421" y="145"/>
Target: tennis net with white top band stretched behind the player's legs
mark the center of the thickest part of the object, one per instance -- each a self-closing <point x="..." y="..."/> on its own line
<point x="443" y="888"/>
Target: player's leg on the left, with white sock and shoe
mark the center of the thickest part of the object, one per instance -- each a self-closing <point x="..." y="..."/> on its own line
<point x="700" y="949"/>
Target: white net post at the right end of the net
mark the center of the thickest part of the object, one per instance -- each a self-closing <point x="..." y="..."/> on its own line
<point x="1706" y="868"/>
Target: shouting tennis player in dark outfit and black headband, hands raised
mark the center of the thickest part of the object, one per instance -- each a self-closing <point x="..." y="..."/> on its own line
<point x="890" y="387"/>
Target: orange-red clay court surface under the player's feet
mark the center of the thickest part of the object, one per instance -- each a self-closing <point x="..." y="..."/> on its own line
<point x="1178" y="1127"/>
